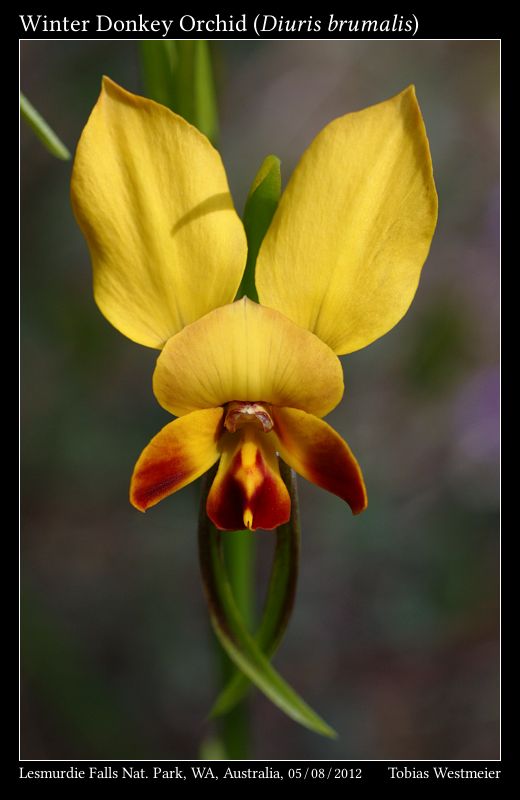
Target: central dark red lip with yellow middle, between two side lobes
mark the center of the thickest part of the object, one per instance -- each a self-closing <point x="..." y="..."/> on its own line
<point x="248" y="491"/>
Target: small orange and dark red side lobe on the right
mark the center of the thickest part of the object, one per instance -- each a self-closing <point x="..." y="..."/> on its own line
<point x="319" y="454"/>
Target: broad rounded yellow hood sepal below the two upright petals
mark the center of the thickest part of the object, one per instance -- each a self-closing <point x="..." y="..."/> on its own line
<point x="244" y="351"/>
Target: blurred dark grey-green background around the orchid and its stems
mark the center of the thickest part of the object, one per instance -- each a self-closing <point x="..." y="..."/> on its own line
<point x="394" y="635"/>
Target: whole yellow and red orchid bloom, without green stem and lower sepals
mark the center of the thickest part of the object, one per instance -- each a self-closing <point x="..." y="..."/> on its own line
<point x="249" y="382"/>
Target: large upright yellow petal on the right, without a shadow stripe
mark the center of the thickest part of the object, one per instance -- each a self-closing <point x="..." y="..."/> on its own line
<point x="344" y="251"/>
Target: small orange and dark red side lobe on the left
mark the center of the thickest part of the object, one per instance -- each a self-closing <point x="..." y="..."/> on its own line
<point x="182" y="451"/>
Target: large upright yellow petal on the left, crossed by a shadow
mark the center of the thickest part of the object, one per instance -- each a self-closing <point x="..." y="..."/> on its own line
<point x="151" y="197"/>
